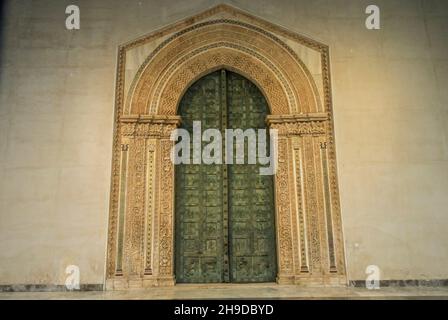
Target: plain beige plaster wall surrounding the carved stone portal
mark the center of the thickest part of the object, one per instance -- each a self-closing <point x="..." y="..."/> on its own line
<point x="56" y="122"/>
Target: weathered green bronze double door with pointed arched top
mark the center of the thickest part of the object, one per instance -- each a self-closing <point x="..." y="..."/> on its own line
<point x="224" y="213"/>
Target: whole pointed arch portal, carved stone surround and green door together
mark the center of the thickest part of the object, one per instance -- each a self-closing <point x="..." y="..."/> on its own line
<point x="148" y="238"/>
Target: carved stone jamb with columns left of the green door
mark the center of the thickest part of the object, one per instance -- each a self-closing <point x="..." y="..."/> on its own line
<point x="144" y="231"/>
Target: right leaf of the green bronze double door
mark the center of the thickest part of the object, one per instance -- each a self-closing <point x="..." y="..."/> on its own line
<point x="251" y="211"/>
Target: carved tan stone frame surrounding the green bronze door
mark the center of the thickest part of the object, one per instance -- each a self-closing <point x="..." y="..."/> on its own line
<point x="310" y="247"/>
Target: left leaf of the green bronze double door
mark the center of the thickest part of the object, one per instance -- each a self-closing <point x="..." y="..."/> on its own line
<point x="199" y="238"/>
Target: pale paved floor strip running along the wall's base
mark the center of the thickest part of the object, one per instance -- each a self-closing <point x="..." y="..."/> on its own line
<point x="261" y="291"/>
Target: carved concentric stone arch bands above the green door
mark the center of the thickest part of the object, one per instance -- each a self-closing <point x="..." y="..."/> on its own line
<point x="191" y="53"/>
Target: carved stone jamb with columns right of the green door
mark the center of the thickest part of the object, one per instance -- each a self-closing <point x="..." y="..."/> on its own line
<point x="304" y="206"/>
